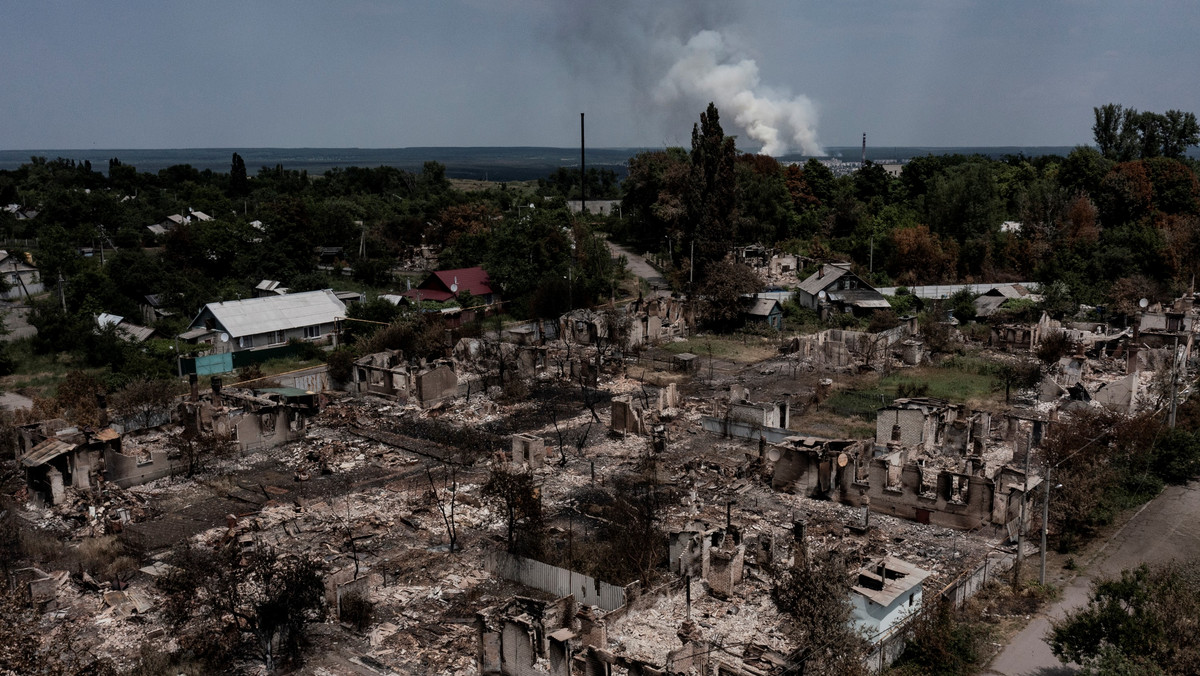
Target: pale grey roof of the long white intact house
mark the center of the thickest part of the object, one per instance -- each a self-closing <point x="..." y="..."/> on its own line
<point x="253" y="316"/>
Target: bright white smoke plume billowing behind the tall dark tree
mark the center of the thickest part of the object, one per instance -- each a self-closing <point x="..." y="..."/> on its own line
<point x="707" y="69"/>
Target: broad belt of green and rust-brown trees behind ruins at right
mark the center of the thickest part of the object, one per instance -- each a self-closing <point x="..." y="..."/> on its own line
<point x="1112" y="223"/>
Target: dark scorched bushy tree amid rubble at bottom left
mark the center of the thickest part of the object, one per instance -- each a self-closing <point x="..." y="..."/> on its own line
<point x="263" y="596"/>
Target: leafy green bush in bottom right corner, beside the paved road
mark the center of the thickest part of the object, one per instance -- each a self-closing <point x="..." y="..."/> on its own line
<point x="1147" y="618"/>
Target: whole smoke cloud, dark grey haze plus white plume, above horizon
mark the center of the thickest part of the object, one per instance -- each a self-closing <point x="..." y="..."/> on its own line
<point x="669" y="61"/>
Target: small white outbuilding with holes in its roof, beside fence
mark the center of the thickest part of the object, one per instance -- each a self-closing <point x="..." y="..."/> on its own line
<point x="887" y="591"/>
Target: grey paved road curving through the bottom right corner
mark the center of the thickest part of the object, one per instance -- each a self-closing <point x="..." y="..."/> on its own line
<point x="1167" y="528"/>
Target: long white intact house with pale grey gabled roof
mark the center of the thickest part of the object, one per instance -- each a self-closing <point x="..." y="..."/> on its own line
<point x="253" y="324"/>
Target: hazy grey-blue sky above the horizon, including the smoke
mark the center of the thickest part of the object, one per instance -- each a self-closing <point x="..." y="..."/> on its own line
<point x="787" y="75"/>
